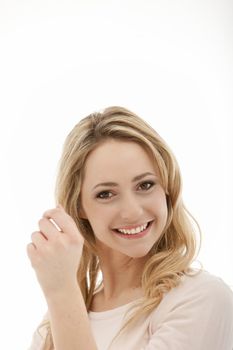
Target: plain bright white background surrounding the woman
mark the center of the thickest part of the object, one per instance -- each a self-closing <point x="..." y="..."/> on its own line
<point x="171" y="62"/>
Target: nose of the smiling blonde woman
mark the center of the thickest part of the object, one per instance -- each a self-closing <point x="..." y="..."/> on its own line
<point x="131" y="209"/>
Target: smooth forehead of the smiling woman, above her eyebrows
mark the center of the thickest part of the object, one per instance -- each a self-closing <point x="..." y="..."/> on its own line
<point x="115" y="157"/>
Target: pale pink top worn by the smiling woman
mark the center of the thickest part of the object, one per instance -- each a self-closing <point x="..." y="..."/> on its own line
<point x="196" y="315"/>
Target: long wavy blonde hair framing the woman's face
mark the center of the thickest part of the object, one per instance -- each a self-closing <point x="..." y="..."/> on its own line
<point x="172" y="255"/>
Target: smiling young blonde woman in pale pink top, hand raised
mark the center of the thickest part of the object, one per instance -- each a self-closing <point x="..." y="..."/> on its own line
<point x="114" y="257"/>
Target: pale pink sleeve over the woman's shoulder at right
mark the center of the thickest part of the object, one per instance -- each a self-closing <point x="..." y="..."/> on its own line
<point x="199" y="320"/>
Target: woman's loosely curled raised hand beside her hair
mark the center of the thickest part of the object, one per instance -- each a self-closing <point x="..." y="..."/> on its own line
<point x="55" y="252"/>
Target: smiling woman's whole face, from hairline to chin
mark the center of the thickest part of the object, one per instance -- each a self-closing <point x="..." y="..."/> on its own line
<point x="123" y="199"/>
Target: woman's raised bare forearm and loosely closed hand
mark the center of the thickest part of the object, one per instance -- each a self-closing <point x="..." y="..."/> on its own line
<point x="55" y="254"/>
